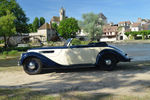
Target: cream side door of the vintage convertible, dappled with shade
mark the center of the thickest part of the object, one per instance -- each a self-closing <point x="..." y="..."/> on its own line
<point x="80" y="55"/>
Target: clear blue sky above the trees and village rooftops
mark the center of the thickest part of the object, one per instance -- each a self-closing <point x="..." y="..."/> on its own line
<point x="114" y="10"/>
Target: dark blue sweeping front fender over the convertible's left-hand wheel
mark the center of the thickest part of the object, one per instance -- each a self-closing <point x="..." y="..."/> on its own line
<point x="45" y="61"/>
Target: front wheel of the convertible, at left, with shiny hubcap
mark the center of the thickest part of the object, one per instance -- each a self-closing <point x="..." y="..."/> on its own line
<point x="32" y="66"/>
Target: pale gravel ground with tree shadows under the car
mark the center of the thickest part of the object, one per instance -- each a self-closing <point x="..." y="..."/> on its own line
<point x="127" y="79"/>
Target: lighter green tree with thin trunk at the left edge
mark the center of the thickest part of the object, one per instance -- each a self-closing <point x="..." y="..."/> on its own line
<point x="7" y="26"/>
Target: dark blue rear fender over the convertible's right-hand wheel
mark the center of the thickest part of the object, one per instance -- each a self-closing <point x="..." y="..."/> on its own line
<point x="119" y="56"/>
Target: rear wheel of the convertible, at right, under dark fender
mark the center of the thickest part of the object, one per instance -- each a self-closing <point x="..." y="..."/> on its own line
<point x="108" y="62"/>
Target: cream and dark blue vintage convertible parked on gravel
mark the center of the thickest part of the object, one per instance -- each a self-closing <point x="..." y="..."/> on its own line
<point x="99" y="54"/>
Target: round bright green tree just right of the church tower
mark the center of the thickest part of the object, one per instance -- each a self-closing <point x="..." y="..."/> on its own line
<point x="68" y="28"/>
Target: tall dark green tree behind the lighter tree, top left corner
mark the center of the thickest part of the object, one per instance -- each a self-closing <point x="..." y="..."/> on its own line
<point x="21" y="19"/>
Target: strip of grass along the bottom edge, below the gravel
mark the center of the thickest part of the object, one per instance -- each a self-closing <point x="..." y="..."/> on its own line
<point x="27" y="94"/>
